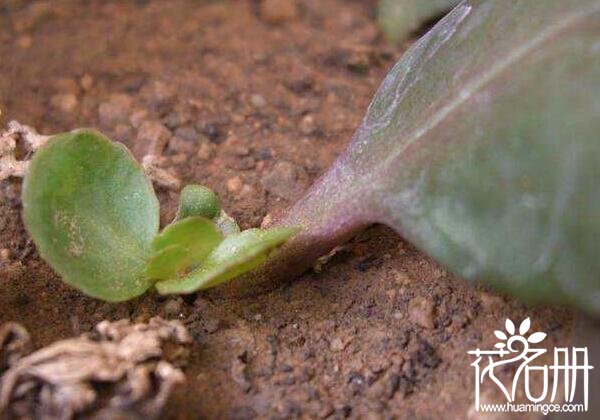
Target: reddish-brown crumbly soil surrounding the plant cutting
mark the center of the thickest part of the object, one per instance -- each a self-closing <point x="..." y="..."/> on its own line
<point x="254" y="100"/>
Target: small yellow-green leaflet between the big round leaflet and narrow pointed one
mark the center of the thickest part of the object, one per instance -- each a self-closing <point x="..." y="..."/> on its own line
<point x="181" y="245"/>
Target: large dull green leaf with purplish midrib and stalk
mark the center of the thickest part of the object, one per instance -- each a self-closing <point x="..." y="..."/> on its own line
<point x="481" y="147"/>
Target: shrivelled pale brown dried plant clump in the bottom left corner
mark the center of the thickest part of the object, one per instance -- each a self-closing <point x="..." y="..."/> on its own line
<point x="119" y="370"/>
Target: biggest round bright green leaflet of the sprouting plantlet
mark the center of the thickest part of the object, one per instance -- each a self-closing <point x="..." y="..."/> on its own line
<point x="92" y="214"/>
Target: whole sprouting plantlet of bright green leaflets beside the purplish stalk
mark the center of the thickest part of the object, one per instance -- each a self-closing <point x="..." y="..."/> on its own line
<point x="94" y="217"/>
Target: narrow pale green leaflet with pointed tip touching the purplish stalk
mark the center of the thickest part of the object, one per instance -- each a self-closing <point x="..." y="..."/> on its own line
<point x="237" y="254"/>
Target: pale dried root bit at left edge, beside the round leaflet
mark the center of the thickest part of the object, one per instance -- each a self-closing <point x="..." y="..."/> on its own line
<point x="18" y="135"/>
